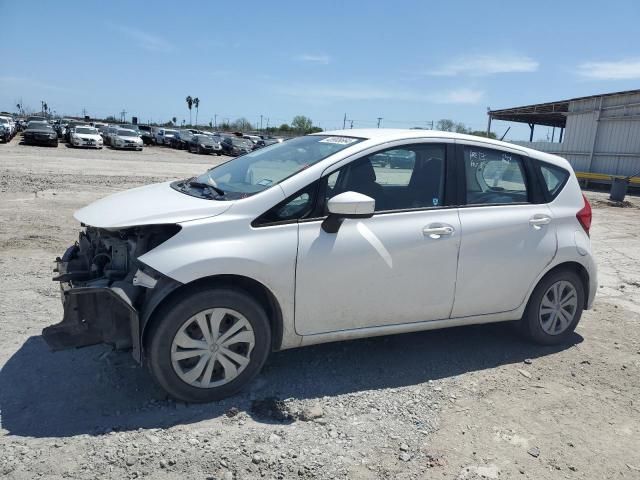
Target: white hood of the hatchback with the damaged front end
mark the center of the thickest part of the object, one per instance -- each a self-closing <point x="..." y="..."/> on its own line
<point x="150" y="205"/>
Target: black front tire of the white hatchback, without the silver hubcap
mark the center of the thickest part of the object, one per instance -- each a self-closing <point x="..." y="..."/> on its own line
<point x="167" y="324"/>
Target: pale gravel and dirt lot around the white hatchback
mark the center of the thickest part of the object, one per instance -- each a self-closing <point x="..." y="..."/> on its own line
<point x="464" y="403"/>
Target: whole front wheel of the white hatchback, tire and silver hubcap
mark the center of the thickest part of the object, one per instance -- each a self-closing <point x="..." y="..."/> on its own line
<point x="208" y="345"/>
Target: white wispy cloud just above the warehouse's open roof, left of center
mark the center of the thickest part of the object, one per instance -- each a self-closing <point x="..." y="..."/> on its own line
<point x="486" y="64"/>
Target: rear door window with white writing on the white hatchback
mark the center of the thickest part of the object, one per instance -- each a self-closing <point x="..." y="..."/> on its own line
<point x="494" y="177"/>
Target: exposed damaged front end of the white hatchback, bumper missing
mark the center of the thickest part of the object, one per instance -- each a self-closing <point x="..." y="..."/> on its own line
<point x="106" y="290"/>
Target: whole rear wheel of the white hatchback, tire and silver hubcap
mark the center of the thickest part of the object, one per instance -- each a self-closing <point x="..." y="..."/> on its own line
<point x="554" y="309"/>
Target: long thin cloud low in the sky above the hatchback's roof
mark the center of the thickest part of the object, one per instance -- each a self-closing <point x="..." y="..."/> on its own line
<point x="372" y="93"/>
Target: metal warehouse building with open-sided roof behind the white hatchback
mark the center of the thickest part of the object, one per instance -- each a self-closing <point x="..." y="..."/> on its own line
<point x="599" y="135"/>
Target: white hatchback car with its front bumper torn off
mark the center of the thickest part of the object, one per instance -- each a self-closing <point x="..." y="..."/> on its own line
<point x="307" y="241"/>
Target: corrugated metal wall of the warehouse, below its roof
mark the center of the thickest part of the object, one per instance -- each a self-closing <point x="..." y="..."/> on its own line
<point x="617" y="142"/>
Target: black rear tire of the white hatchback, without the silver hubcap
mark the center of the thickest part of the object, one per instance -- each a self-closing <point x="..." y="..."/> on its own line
<point x="530" y="324"/>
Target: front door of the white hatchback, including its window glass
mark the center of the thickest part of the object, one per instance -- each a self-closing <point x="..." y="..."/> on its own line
<point x="398" y="266"/>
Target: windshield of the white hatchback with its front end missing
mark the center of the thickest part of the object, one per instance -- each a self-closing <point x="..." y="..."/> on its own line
<point x="256" y="171"/>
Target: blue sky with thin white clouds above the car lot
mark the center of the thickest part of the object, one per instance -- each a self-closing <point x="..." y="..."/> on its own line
<point x="409" y="62"/>
